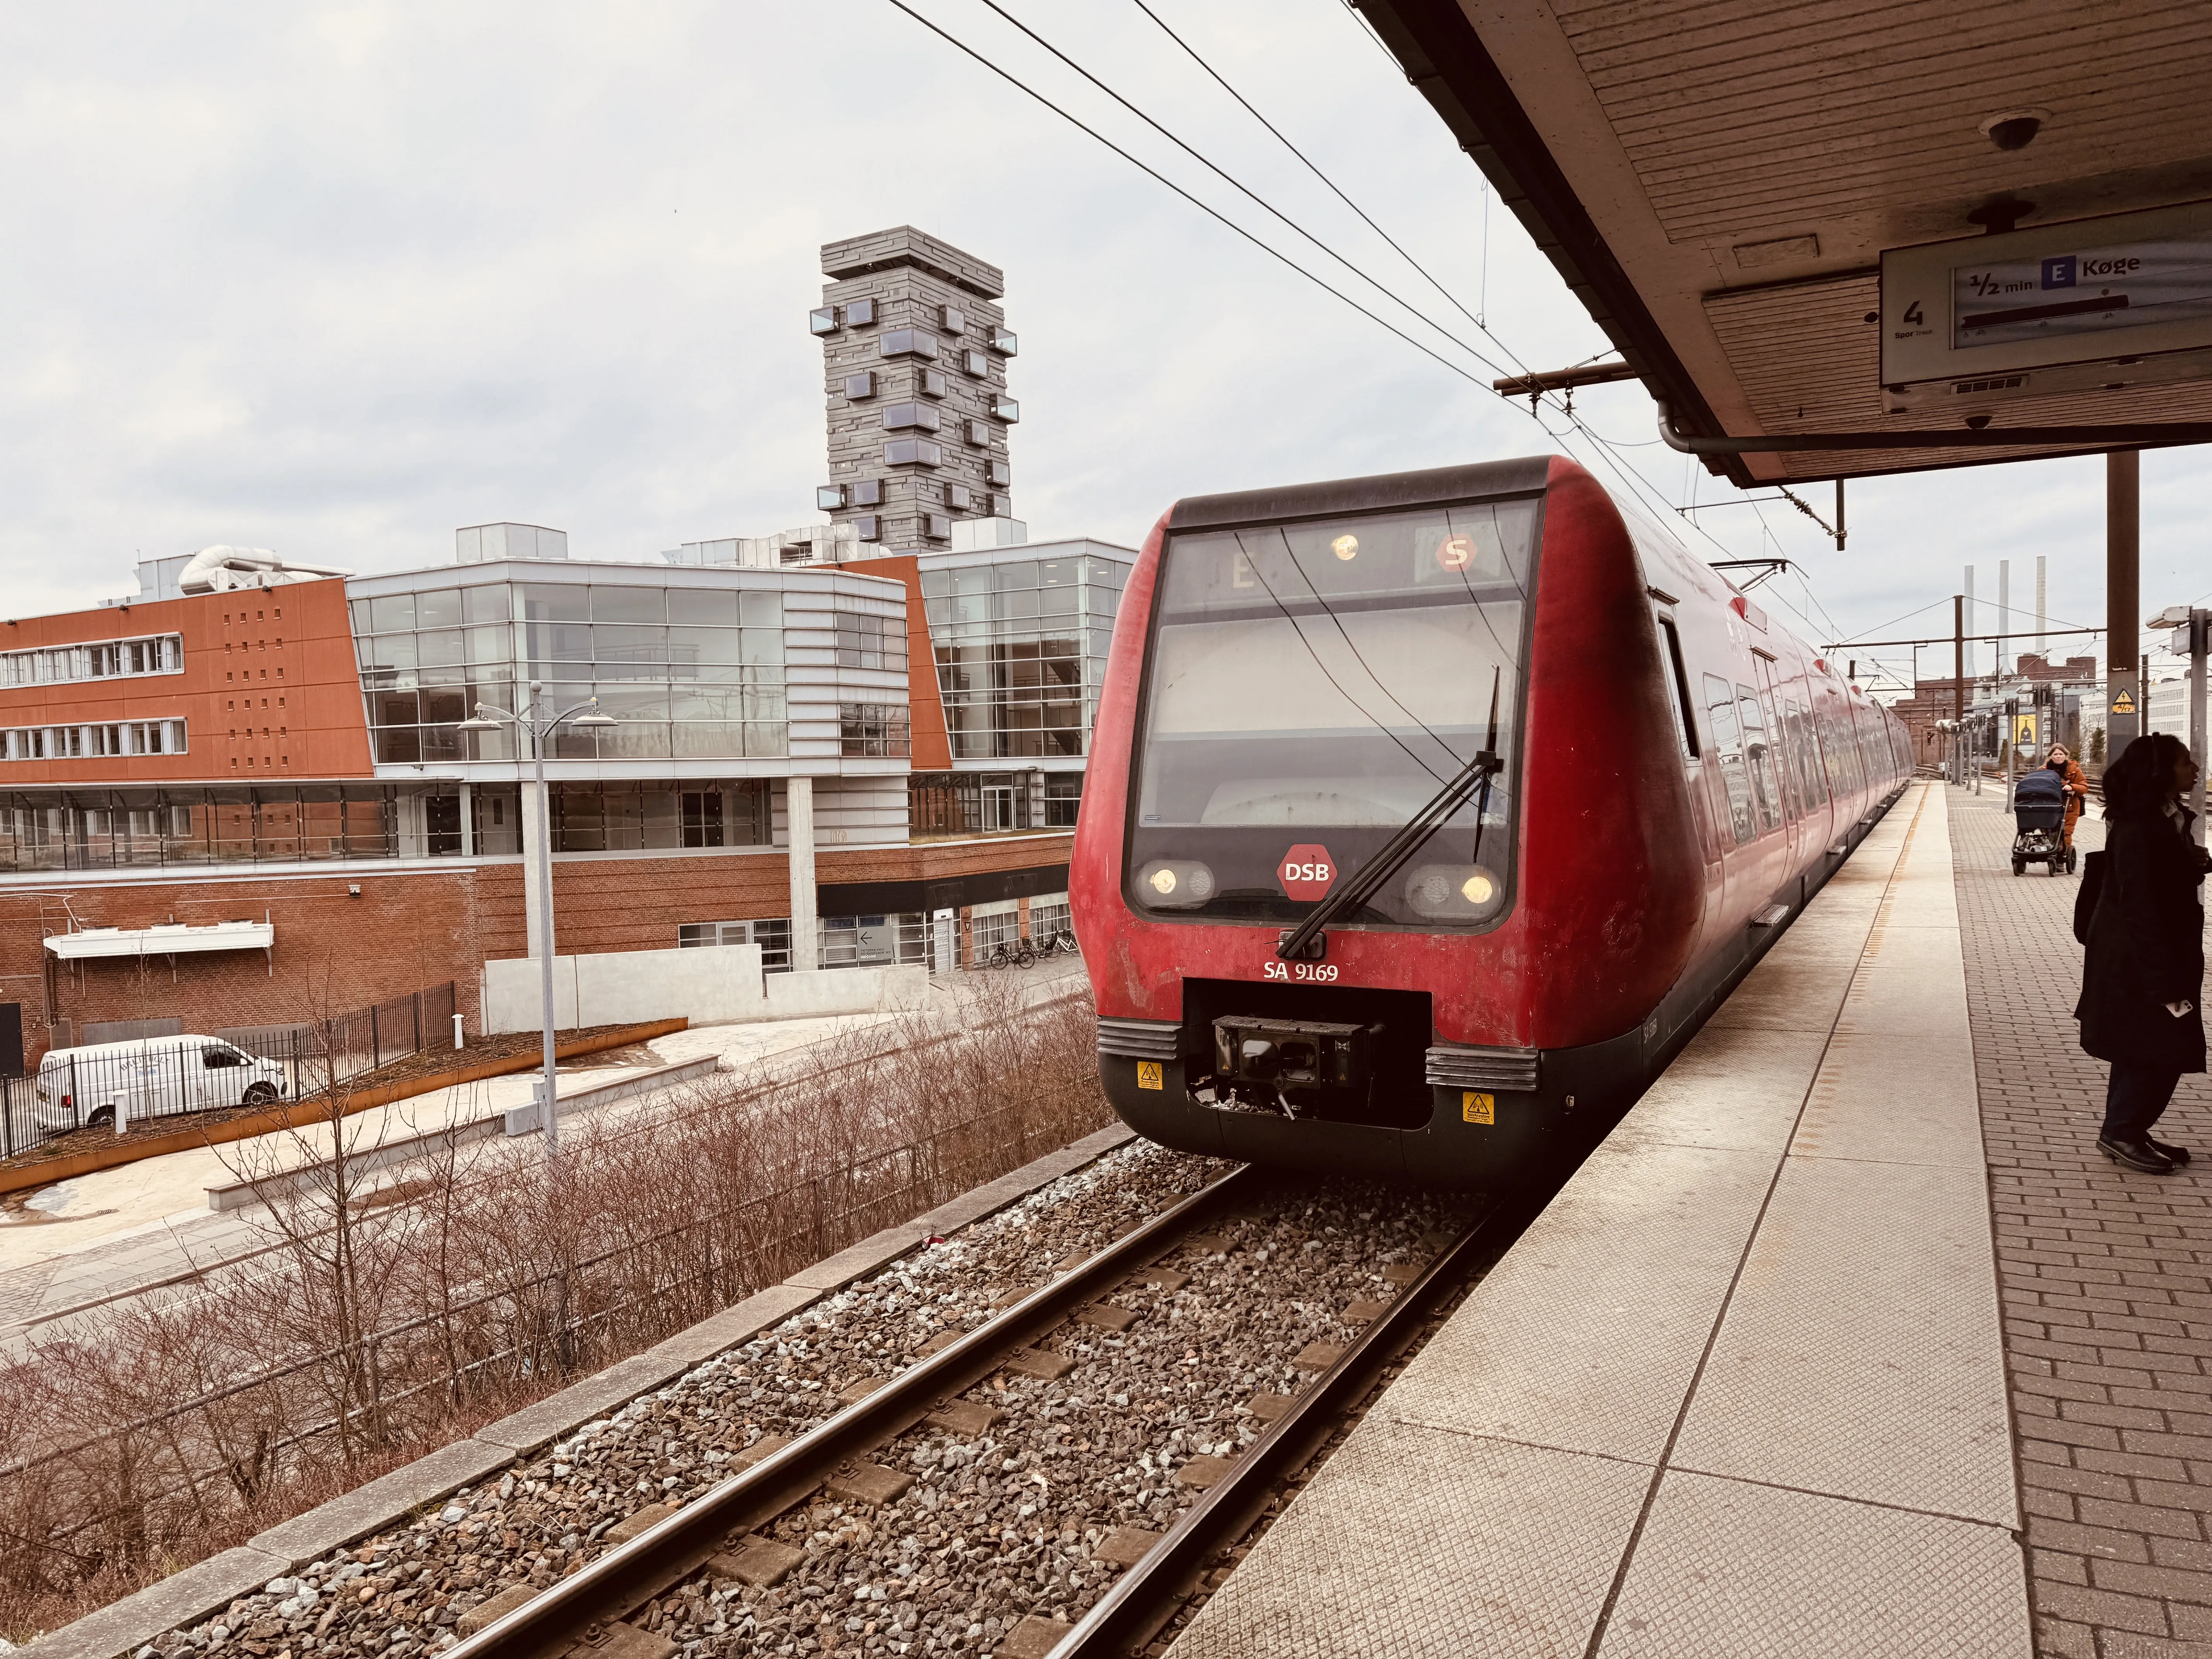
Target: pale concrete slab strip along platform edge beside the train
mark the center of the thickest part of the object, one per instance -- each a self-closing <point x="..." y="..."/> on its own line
<point x="1742" y="1386"/>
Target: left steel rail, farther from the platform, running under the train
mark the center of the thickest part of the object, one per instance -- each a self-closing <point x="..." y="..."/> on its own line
<point x="674" y="1550"/>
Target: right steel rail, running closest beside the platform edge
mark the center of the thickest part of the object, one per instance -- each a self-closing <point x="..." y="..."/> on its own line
<point x="1149" y="1594"/>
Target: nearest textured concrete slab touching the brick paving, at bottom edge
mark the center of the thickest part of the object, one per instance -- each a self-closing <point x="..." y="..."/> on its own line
<point x="1729" y="1569"/>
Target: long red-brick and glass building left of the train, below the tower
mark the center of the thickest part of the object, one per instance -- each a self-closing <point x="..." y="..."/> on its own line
<point x="291" y="753"/>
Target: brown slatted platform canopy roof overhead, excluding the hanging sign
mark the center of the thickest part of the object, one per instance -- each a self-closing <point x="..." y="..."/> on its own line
<point x="1718" y="182"/>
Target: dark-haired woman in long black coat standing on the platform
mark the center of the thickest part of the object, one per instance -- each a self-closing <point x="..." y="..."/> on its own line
<point x="2142" y="985"/>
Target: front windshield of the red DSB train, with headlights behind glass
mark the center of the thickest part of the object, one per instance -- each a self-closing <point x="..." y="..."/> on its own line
<point x="1313" y="689"/>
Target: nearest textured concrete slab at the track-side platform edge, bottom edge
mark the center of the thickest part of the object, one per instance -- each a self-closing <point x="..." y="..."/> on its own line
<point x="1419" y="1543"/>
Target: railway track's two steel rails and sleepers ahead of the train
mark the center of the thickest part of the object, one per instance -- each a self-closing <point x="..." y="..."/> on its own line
<point x="724" y="1534"/>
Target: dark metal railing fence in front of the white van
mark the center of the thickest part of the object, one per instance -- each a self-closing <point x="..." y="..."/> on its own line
<point x="121" y="1085"/>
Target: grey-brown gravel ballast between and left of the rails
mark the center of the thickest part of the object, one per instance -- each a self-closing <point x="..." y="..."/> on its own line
<point x="961" y="1532"/>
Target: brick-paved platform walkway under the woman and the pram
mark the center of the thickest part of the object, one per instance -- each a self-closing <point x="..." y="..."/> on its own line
<point x="2107" y="1282"/>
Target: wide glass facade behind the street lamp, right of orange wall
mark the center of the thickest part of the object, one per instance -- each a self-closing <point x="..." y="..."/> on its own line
<point x="691" y="674"/>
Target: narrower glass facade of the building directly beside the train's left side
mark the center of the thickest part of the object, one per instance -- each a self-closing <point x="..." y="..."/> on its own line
<point x="1023" y="651"/>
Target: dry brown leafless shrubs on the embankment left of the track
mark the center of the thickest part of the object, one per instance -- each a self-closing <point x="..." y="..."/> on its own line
<point x="377" y="1333"/>
